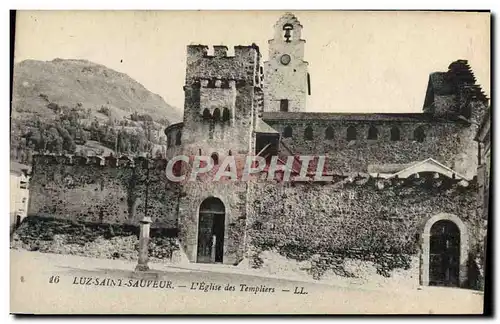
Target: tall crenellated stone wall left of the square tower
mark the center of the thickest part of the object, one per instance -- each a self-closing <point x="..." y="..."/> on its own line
<point x="94" y="191"/>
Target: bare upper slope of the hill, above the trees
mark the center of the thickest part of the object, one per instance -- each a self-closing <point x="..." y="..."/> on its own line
<point x="71" y="82"/>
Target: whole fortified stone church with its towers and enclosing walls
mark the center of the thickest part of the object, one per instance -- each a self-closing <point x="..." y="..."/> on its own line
<point x="403" y="188"/>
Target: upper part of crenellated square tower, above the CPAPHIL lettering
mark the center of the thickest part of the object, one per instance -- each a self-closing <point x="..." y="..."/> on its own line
<point x="215" y="84"/>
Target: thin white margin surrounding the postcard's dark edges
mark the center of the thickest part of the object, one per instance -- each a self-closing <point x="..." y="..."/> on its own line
<point x="193" y="5"/>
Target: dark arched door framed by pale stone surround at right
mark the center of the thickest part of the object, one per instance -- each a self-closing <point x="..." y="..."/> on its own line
<point x="444" y="254"/>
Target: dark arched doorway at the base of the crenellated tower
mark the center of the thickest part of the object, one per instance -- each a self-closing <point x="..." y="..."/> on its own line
<point x="211" y="231"/>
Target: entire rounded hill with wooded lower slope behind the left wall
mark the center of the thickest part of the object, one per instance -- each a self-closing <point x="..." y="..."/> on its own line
<point x="79" y="107"/>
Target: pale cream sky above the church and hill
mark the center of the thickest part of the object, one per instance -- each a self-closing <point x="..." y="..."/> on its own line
<point x="358" y="61"/>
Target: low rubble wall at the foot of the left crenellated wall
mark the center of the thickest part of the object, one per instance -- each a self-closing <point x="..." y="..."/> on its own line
<point x="99" y="240"/>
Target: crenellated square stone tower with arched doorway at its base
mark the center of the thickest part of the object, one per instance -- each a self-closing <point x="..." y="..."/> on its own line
<point x="223" y="97"/>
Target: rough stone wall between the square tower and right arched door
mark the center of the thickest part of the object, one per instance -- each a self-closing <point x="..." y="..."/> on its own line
<point x="372" y="220"/>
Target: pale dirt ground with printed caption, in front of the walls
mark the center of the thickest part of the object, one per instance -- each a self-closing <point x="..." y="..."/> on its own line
<point x="34" y="290"/>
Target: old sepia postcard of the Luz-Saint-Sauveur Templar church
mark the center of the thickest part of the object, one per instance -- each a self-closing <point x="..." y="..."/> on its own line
<point x="250" y="162"/>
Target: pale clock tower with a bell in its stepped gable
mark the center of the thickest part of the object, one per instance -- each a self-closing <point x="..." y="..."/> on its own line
<point x="286" y="81"/>
